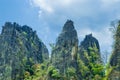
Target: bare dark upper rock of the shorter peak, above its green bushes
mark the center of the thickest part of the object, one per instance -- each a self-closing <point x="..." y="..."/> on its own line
<point x="89" y="42"/>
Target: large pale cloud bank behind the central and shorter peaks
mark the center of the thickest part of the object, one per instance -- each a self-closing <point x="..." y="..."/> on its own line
<point x="90" y="13"/>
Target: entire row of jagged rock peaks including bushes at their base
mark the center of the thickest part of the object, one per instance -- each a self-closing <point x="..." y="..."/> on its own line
<point x="23" y="56"/>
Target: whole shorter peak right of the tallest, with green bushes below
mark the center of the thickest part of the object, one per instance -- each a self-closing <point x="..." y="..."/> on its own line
<point x="89" y="53"/>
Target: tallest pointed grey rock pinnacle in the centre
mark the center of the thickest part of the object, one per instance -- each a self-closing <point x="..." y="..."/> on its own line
<point x="65" y="53"/>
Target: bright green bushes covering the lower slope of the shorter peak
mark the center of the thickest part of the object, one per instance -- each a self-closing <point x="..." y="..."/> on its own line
<point x="93" y="69"/>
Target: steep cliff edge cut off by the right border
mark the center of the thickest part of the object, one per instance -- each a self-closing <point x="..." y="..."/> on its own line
<point x="115" y="57"/>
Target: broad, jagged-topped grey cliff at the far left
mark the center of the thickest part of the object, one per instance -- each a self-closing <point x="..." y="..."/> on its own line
<point x="20" y="48"/>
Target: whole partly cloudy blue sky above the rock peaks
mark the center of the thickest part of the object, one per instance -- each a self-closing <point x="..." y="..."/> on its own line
<point x="47" y="17"/>
